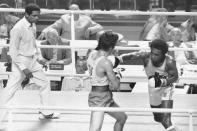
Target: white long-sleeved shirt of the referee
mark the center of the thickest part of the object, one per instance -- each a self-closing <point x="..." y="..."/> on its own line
<point x="22" y="40"/>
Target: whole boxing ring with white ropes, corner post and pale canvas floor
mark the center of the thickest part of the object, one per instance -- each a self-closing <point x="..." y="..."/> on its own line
<point x="75" y="113"/>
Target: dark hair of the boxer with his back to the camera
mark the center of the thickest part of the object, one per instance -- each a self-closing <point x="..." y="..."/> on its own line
<point x="107" y="40"/>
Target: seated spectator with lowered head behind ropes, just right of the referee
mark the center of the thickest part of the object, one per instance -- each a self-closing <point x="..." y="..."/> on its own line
<point x="61" y="56"/>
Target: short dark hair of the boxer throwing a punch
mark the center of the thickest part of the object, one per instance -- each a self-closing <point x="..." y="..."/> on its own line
<point x="160" y="45"/>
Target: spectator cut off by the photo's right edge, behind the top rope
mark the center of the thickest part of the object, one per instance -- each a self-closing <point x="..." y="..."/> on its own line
<point x="189" y="27"/>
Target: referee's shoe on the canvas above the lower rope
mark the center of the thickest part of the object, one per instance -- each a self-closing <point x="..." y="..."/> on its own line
<point x="54" y="115"/>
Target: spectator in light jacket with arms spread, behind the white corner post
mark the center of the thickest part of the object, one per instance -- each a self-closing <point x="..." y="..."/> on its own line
<point x="85" y="27"/>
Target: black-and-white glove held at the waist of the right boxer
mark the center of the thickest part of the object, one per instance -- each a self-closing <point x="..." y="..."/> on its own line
<point x="156" y="81"/>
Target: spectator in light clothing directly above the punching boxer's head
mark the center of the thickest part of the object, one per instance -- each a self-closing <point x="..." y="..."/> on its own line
<point x="157" y="27"/>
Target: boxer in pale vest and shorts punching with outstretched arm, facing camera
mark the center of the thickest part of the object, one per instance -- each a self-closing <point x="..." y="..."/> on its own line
<point x="162" y="72"/>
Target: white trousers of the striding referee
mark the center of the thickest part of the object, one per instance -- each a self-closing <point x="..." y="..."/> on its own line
<point x="17" y="76"/>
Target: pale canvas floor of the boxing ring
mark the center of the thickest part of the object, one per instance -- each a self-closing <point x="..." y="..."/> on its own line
<point x="75" y="113"/>
